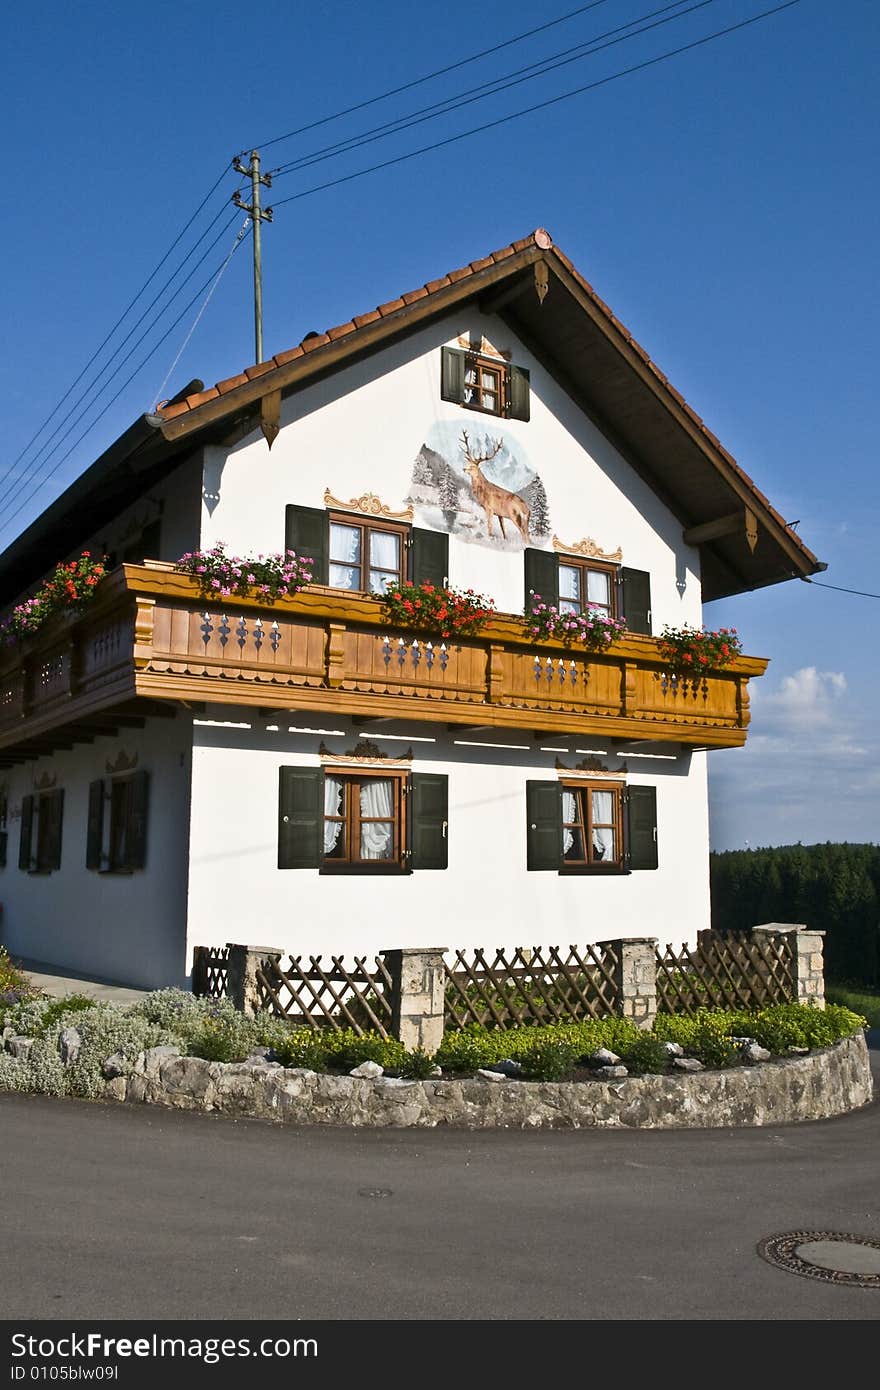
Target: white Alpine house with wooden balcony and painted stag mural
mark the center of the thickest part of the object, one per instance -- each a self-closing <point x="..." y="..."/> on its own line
<point x="180" y="772"/>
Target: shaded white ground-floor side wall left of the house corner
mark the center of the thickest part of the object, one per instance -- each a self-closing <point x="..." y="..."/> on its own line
<point x="127" y="928"/>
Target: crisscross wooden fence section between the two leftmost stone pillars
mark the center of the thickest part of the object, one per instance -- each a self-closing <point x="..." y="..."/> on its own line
<point x="336" y="996"/>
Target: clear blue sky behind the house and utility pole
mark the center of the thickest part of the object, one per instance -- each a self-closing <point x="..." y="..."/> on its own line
<point x="724" y="202"/>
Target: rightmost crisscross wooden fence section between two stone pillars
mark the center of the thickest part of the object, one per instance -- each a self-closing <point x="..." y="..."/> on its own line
<point x="725" y="972"/>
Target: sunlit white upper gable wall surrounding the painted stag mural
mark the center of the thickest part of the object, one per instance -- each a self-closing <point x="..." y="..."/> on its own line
<point x="362" y="429"/>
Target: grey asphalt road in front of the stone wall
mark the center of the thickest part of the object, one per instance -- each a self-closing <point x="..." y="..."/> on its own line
<point x="129" y="1213"/>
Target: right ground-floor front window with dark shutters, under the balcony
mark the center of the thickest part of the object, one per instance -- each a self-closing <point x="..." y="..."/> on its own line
<point x="592" y="826"/>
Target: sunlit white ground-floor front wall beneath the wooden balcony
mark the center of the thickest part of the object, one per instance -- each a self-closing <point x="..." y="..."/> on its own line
<point x="486" y="897"/>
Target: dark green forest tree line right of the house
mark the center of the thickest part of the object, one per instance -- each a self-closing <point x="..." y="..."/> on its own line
<point x="832" y="889"/>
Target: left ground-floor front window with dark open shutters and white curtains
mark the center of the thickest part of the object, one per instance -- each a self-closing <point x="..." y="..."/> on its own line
<point x="362" y="821"/>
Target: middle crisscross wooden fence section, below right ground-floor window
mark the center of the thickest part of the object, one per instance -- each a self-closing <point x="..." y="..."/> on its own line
<point x="540" y="986"/>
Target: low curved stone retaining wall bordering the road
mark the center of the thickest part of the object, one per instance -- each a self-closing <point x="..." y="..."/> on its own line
<point x="824" y="1084"/>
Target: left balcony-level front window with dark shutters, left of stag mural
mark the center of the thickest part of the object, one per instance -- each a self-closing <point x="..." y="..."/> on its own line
<point x="348" y="553"/>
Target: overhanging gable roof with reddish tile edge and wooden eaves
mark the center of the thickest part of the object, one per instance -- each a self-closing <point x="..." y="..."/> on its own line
<point x="533" y="286"/>
